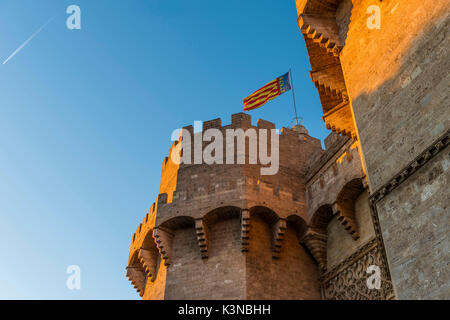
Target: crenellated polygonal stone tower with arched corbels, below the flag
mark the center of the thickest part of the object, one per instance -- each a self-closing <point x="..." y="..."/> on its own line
<point x="224" y="231"/>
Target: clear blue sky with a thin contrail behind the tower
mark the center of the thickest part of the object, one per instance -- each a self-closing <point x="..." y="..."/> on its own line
<point x="86" y="117"/>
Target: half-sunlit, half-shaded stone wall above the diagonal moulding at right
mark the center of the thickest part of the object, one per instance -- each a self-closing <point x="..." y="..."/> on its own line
<point x="396" y="81"/>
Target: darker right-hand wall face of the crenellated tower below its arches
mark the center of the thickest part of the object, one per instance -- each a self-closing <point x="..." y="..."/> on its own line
<point x="293" y="275"/>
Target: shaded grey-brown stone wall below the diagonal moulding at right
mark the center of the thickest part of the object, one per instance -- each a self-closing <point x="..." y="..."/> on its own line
<point x="415" y="219"/>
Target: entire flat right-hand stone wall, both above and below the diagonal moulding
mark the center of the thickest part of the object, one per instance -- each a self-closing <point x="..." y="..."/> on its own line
<point x="398" y="85"/>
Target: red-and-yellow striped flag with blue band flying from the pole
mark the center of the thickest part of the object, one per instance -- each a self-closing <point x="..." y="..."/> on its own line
<point x="270" y="91"/>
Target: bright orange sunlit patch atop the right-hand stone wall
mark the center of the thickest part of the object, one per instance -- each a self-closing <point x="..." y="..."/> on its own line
<point x="373" y="56"/>
